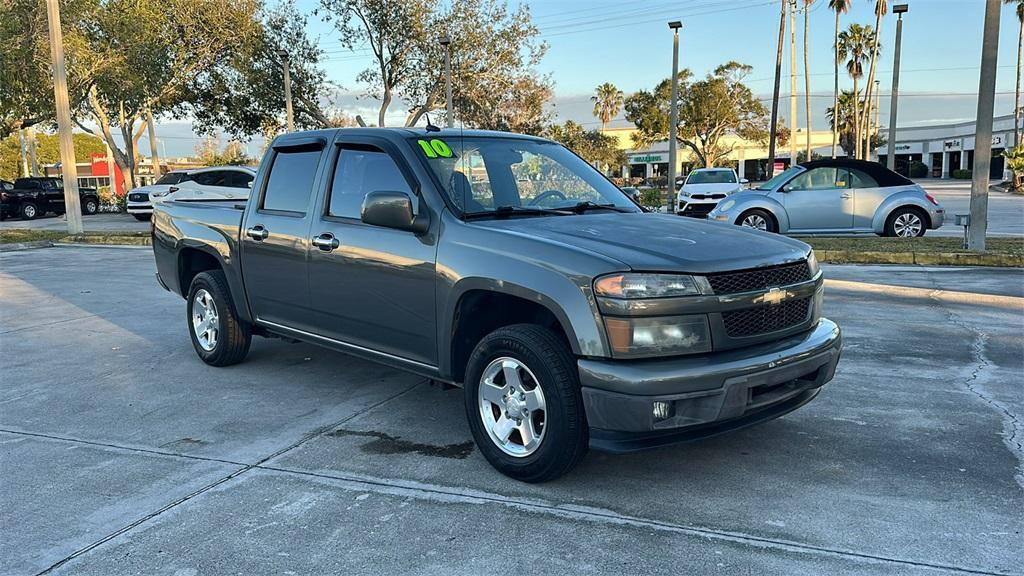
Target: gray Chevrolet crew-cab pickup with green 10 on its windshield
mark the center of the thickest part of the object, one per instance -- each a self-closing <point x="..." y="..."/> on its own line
<point x="507" y="266"/>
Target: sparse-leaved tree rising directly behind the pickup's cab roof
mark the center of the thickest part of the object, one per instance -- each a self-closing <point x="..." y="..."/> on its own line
<point x="494" y="53"/>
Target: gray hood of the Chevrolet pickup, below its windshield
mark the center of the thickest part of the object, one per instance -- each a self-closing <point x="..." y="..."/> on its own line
<point x="660" y="242"/>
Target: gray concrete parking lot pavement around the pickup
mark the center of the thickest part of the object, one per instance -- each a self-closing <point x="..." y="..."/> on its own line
<point x="122" y="454"/>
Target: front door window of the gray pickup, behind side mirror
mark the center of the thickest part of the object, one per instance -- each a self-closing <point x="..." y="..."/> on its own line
<point x="358" y="174"/>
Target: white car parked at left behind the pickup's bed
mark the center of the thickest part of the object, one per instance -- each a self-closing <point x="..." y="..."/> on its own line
<point x="231" y="183"/>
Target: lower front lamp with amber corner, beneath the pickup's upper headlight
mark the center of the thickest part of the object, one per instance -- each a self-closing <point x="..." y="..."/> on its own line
<point x="668" y="336"/>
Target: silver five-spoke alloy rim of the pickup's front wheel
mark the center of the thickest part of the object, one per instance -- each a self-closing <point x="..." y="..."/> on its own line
<point x="513" y="407"/>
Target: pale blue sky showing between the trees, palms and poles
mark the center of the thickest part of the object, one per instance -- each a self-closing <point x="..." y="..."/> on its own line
<point x="629" y="45"/>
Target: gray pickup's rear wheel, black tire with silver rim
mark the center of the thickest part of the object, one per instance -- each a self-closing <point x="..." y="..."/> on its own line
<point x="229" y="342"/>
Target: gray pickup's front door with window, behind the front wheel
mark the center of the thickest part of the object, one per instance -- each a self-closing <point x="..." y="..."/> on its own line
<point x="372" y="286"/>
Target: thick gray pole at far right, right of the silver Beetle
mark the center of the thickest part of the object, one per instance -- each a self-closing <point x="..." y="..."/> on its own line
<point x="984" y="134"/>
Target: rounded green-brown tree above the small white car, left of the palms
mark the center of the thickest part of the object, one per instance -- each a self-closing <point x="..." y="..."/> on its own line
<point x="709" y="109"/>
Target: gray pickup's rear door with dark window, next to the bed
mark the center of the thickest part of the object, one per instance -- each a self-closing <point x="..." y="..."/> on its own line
<point x="276" y="235"/>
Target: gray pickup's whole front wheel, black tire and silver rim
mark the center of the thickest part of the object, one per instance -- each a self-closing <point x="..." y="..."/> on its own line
<point x="542" y="361"/>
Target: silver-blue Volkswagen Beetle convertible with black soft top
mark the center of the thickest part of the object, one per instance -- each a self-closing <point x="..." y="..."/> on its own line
<point x="835" y="197"/>
